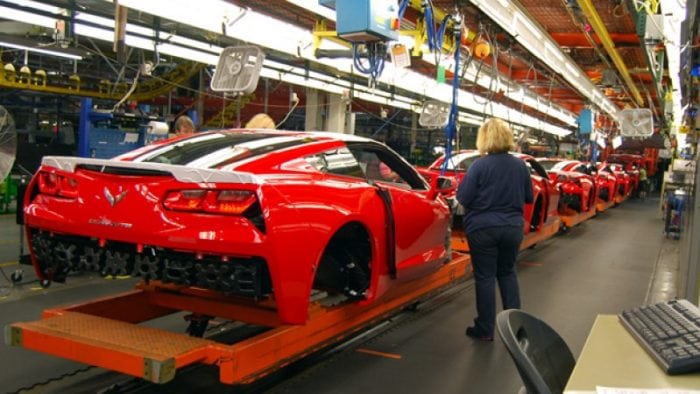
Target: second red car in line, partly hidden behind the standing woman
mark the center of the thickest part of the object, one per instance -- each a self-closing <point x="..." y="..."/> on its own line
<point x="546" y="196"/>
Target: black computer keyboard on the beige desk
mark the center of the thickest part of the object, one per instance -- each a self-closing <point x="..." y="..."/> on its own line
<point x="669" y="332"/>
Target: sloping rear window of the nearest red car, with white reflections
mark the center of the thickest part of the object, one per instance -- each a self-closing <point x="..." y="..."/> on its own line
<point x="217" y="149"/>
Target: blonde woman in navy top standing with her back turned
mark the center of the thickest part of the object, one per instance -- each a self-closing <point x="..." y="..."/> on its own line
<point x="493" y="193"/>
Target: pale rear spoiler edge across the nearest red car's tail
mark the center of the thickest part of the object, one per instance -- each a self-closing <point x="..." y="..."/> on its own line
<point x="180" y="172"/>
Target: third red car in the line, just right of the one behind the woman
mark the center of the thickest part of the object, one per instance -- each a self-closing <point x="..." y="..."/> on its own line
<point x="578" y="189"/>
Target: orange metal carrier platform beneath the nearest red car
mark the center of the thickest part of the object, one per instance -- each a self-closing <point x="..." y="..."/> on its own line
<point x="104" y="333"/>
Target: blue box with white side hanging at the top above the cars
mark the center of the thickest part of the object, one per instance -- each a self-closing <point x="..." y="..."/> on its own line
<point x="365" y="20"/>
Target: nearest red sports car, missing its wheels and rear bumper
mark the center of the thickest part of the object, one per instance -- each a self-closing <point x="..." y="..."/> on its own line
<point x="253" y="213"/>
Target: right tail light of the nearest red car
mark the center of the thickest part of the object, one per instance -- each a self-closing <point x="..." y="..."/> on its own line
<point x="233" y="202"/>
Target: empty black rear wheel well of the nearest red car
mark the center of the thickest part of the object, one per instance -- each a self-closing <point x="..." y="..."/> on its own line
<point x="345" y="265"/>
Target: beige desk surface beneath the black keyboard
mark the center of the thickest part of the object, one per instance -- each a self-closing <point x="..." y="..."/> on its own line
<point x="611" y="357"/>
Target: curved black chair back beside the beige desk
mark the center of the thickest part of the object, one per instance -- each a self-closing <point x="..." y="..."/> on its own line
<point x="543" y="359"/>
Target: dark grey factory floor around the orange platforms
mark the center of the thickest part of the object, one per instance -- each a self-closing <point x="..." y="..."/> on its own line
<point x="615" y="261"/>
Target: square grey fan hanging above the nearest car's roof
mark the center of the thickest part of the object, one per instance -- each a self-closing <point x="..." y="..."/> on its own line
<point x="238" y="70"/>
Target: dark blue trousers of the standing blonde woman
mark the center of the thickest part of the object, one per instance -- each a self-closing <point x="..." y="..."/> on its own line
<point x="494" y="251"/>
